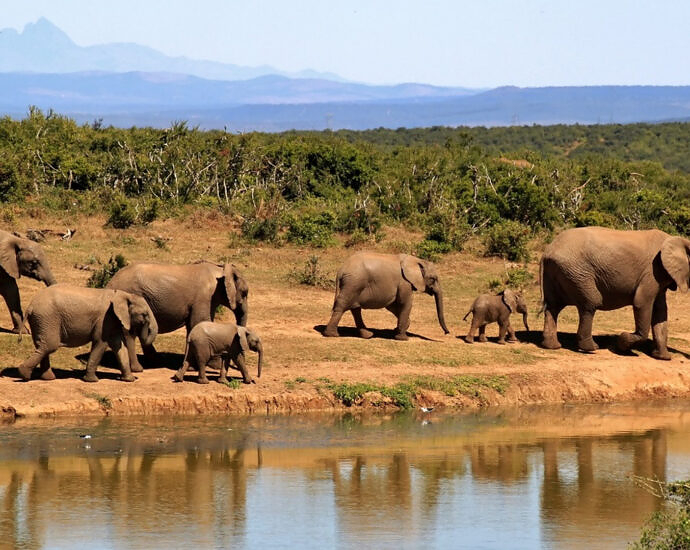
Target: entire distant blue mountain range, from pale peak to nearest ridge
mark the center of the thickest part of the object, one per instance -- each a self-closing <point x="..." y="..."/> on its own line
<point x="128" y="84"/>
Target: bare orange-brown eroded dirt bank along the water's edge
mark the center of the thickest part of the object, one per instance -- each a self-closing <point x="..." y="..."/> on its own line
<point x="572" y="378"/>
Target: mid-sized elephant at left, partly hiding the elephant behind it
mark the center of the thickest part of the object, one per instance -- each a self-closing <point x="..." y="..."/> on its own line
<point x="70" y="316"/>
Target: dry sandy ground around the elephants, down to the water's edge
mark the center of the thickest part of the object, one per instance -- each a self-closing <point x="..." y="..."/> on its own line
<point x="305" y="371"/>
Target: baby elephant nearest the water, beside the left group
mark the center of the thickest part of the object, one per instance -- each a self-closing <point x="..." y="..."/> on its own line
<point x="208" y="340"/>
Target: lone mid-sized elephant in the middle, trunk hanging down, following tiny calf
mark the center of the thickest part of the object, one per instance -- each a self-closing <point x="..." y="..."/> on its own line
<point x="373" y="281"/>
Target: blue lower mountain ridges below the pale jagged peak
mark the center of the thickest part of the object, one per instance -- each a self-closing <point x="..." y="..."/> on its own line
<point x="278" y="103"/>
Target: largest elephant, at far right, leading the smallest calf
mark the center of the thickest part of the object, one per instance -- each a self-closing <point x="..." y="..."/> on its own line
<point x="594" y="268"/>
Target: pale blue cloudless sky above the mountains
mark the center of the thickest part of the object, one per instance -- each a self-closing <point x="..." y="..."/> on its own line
<point x="480" y="43"/>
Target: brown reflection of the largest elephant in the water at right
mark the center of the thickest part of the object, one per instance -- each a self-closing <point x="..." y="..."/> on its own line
<point x="589" y="501"/>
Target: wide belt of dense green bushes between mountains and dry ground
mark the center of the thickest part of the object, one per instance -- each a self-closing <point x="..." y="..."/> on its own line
<point x="503" y="185"/>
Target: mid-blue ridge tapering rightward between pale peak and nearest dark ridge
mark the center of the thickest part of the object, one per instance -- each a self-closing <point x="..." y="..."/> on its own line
<point x="105" y="92"/>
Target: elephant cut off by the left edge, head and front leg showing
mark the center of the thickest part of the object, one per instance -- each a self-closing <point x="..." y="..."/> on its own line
<point x="19" y="257"/>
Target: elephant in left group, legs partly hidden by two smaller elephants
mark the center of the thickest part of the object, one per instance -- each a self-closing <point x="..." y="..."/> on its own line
<point x="183" y="295"/>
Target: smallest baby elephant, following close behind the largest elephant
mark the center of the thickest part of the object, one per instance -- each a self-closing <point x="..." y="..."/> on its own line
<point x="488" y="308"/>
